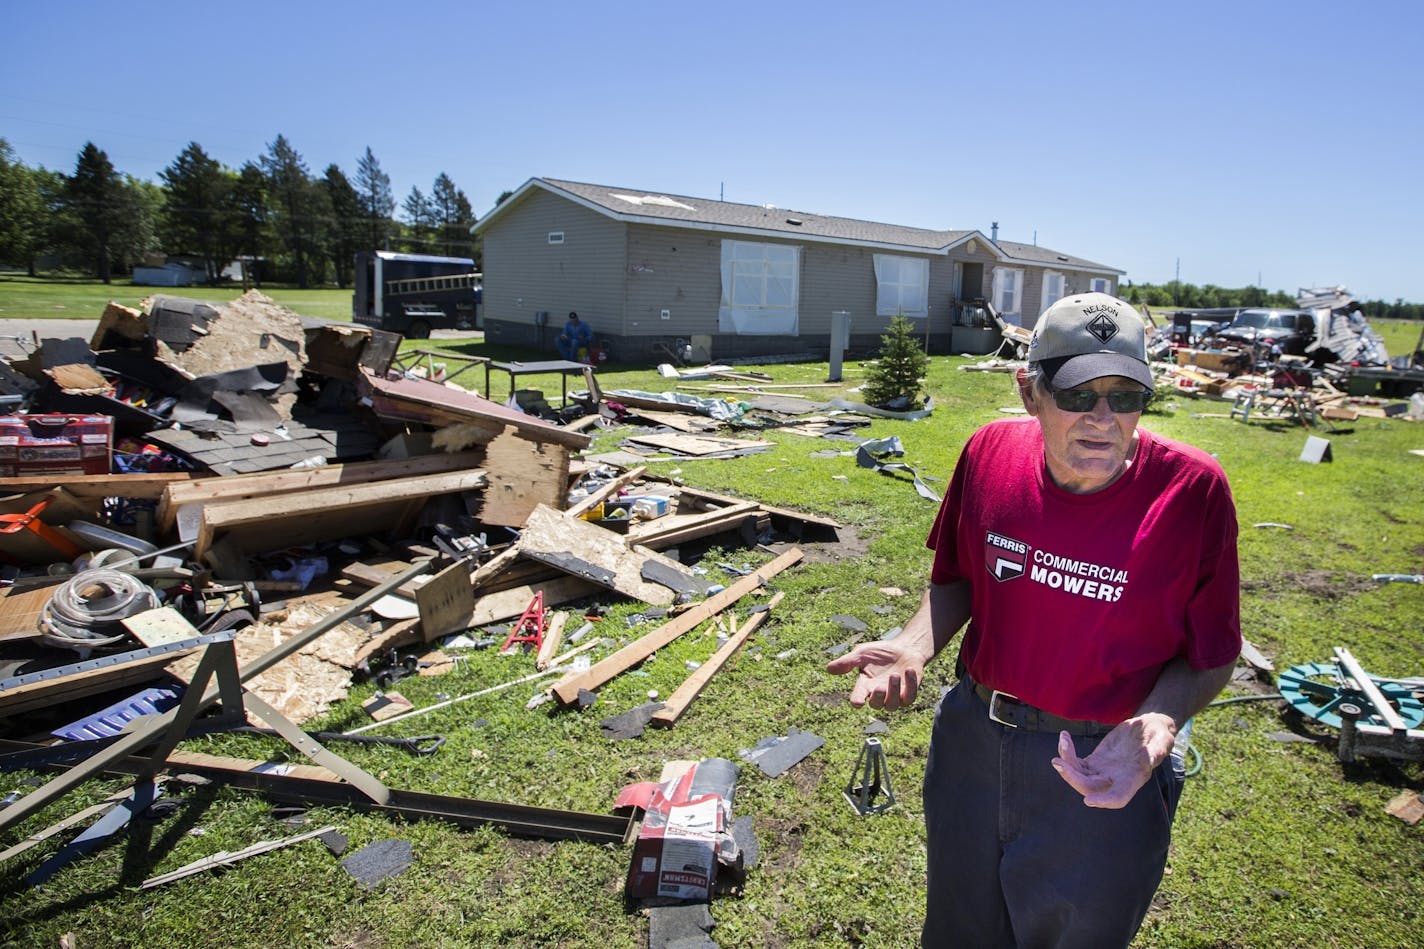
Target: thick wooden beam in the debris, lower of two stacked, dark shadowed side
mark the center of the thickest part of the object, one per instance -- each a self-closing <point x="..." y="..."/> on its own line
<point x="324" y="514"/>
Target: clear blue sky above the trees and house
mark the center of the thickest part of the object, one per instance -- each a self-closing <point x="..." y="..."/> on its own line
<point x="1230" y="143"/>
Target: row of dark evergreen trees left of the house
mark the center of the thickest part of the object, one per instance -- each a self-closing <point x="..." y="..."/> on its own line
<point x="283" y="222"/>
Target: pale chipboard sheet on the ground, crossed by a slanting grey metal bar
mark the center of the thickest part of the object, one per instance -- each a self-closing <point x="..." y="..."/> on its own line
<point x="304" y="685"/>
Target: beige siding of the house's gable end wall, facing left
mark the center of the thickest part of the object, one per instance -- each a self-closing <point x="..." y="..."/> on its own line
<point x="526" y="274"/>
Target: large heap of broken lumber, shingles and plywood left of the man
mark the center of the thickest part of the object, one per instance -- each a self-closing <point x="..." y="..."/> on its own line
<point x="257" y="514"/>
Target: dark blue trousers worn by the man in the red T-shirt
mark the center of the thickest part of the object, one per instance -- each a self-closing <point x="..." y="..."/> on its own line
<point x="1016" y="859"/>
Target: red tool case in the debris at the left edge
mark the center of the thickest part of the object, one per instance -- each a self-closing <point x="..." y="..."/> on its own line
<point x="55" y="445"/>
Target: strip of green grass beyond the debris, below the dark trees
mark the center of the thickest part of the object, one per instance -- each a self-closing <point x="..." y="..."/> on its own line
<point x="53" y="299"/>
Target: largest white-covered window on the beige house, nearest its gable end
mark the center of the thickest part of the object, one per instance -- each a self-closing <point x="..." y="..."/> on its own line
<point x="761" y="289"/>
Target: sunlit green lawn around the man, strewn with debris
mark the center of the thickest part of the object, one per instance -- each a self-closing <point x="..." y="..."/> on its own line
<point x="1277" y="843"/>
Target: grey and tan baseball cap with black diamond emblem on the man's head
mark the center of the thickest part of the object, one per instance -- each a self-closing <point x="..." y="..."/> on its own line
<point x="1086" y="337"/>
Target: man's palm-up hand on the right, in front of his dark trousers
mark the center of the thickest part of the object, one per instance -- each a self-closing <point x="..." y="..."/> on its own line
<point x="1121" y="763"/>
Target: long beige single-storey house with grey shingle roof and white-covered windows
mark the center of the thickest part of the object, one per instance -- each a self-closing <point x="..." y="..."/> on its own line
<point x="654" y="273"/>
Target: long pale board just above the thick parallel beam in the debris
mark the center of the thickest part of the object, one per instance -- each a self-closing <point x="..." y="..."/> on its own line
<point x="268" y="484"/>
